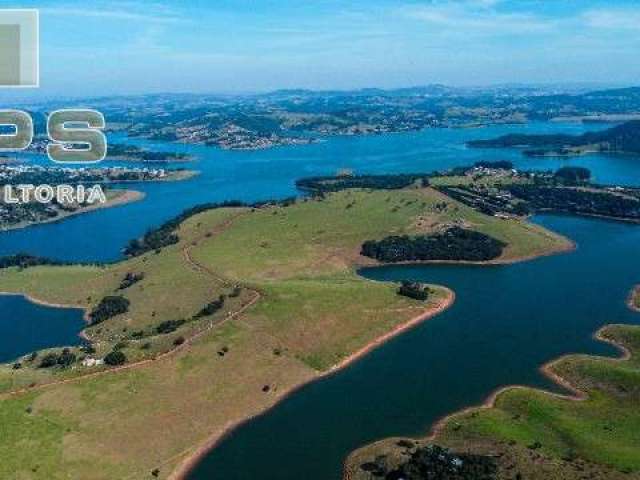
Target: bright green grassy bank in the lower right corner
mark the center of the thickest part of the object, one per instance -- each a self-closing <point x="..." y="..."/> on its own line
<point x="541" y="436"/>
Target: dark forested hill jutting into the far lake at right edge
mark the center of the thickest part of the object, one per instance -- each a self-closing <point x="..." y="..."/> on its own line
<point x="621" y="138"/>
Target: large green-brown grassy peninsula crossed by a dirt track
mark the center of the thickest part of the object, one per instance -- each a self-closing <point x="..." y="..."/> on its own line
<point x="301" y="309"/>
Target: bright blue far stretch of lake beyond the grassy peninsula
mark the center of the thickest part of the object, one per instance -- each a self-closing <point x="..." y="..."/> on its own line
<point x="259" y="175"/>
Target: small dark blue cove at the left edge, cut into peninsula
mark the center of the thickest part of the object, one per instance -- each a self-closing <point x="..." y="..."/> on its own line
<point x="26" y="326"/>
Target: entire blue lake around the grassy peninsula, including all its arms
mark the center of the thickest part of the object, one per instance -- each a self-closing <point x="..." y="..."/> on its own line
<point x="506" y="322"/>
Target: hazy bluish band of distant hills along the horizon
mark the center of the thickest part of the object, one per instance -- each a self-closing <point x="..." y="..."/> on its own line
<point x="254" y="121"/>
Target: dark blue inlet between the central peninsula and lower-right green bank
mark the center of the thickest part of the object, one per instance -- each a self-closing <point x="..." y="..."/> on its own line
<point x="506" y="322"/>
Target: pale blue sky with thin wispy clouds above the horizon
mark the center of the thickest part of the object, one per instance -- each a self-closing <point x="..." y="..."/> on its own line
<point x="134" y="46"/>
